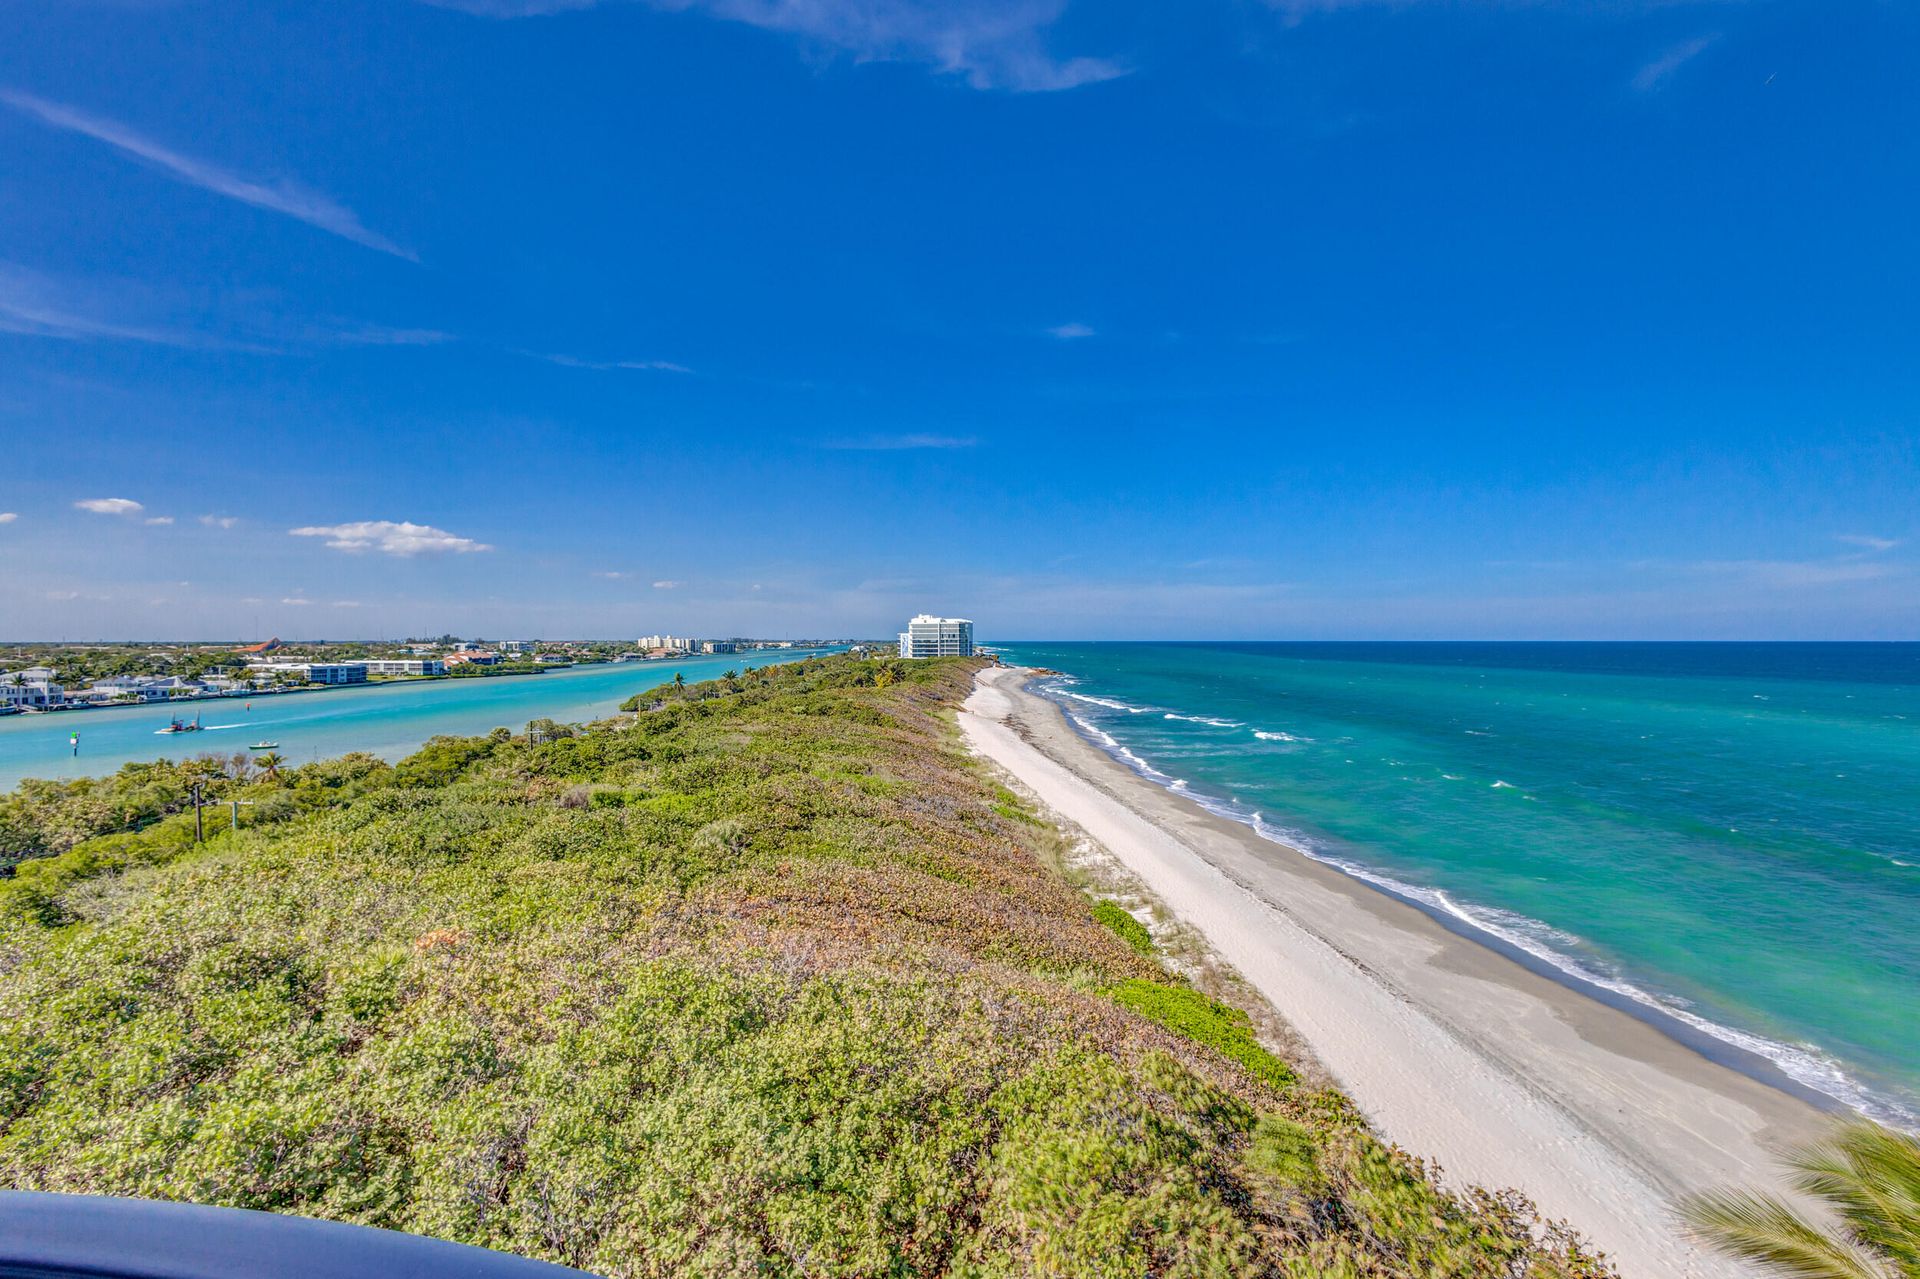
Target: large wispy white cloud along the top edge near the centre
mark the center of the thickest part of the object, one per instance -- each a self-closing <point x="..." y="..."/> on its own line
<point x="986" y="43"/>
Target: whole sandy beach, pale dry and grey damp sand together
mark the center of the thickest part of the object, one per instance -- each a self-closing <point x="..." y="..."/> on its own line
<point x="1452" y="1050"/>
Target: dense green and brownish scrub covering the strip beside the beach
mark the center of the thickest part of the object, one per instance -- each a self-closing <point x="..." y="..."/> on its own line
<point x="763" y="980"/>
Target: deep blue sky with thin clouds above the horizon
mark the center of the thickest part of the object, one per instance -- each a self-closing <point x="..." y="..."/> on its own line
<point x="1324" y="320"/>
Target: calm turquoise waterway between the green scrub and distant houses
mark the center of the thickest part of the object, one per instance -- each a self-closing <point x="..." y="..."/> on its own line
<point x="385" y="719"/>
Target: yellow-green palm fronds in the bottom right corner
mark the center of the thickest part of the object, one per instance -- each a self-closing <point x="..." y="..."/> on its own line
<point x="1865" y="1174"/>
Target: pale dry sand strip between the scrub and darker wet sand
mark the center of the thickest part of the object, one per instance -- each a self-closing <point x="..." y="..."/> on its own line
<point x="1416" y="1082"/>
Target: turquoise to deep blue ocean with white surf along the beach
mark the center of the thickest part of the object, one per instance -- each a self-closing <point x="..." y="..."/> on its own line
<point x="1723" y="838"/>
